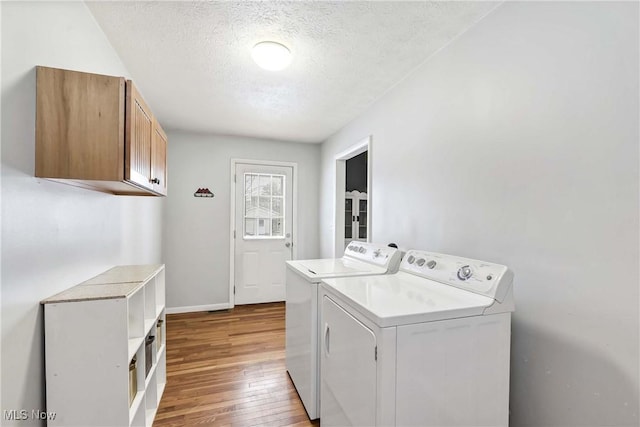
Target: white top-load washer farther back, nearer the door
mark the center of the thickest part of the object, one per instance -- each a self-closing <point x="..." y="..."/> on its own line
<point x="302" y="326"/>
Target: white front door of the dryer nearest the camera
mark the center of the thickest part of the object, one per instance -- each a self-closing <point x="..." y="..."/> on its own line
<point x="348" y="391"/>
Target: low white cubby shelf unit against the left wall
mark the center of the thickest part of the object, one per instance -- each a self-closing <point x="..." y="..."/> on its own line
<point x="92" y="333"/>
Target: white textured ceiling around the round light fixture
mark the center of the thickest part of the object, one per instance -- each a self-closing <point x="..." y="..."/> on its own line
<point x="192" y="60"/>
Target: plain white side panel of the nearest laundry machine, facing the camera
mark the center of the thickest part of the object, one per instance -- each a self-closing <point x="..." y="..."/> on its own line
<point x="452" y="372"/>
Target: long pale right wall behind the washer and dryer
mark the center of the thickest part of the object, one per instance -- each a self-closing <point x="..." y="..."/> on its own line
<point x="518" y="144"/>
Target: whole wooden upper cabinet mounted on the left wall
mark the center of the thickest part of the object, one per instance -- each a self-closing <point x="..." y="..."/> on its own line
<point x="97" y="132"/>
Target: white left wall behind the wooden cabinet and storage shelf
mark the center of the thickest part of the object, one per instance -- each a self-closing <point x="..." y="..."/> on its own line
<point x="53" y="235"/>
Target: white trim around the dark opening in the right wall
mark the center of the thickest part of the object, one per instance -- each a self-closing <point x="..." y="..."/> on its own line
<point x="360" y="147"/>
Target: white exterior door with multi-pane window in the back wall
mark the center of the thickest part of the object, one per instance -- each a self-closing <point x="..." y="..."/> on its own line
<point x="263" y="230"/>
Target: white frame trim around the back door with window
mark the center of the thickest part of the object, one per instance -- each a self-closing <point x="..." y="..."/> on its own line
<point x="232" y="214"/>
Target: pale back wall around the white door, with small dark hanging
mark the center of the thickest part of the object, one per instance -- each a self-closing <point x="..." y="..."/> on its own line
<point x="196" y="230"/>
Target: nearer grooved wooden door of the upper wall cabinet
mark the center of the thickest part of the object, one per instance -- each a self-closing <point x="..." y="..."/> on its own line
<point x="138" y="136"/>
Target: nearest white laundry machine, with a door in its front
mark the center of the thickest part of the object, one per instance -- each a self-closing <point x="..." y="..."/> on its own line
<point x="427" y="346"/>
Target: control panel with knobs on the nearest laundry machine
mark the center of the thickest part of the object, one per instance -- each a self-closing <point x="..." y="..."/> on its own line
<point x="492" y="280"/>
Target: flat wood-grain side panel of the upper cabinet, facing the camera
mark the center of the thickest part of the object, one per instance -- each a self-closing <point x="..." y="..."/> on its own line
<point x="80" y="122"/>
